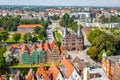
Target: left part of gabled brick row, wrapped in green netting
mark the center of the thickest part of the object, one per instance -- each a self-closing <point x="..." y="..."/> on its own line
<point x="32" y="55"/>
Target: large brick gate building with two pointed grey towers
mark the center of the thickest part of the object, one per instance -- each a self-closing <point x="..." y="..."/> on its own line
<point x="73" y="42"/>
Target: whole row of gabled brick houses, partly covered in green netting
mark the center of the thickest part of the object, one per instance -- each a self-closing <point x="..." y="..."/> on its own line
<point x="45" y="52"/>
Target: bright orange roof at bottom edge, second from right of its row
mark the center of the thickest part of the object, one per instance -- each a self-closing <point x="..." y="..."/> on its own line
<point x="54" y="71"/>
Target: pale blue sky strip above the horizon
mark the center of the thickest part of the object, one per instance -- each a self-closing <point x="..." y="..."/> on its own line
<point x="62" y="2"/>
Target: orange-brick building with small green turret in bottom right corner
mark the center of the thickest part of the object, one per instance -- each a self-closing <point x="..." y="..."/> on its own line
<point x="111" y="65"/>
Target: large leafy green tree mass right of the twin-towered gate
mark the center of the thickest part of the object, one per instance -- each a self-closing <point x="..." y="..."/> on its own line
<point x="103" y="42"/>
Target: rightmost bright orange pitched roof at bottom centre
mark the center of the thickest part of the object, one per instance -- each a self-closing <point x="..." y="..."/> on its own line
<point x="68" y="66"/>
